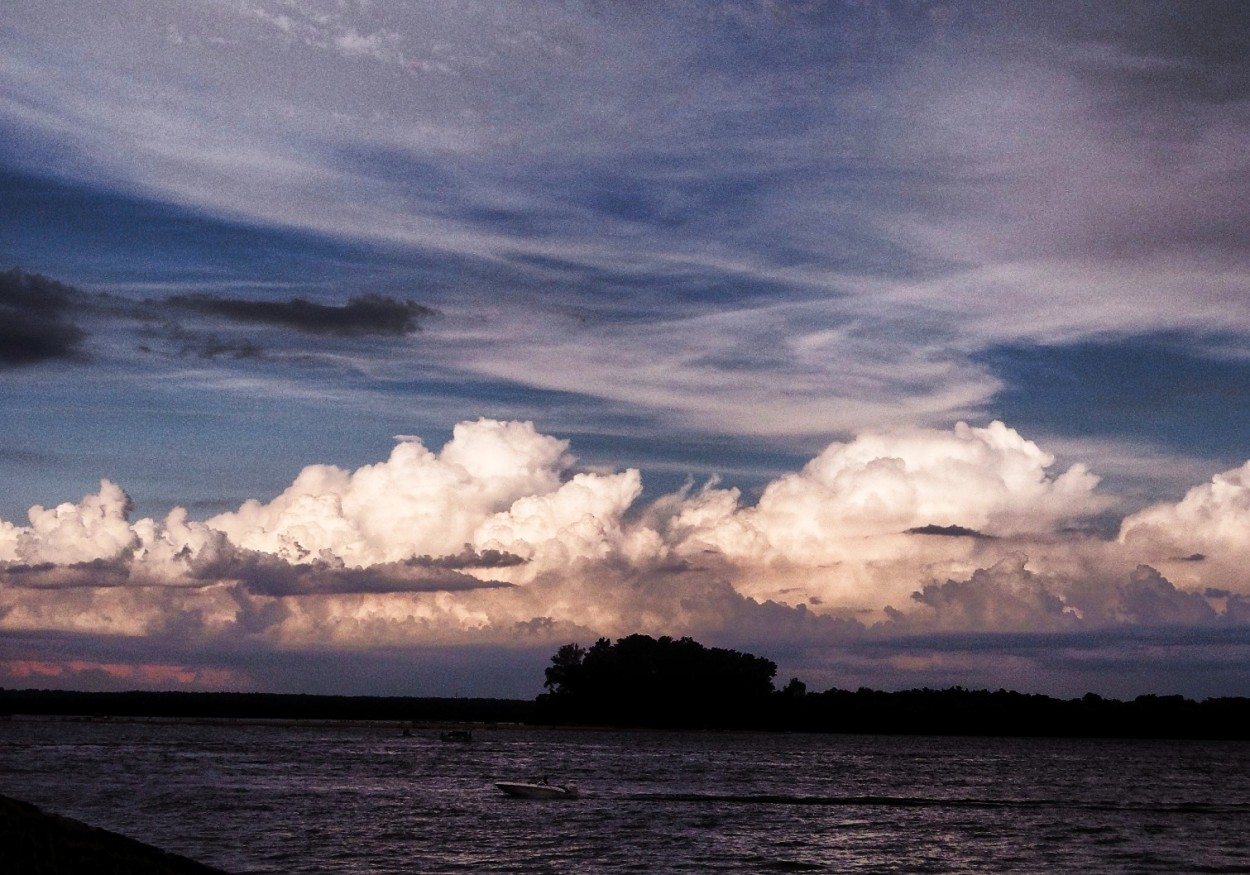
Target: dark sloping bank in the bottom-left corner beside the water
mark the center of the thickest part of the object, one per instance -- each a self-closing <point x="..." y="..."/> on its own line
<point x="37" y="843"/>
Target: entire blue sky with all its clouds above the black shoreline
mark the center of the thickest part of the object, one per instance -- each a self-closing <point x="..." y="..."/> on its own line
<point x="361" y="347"/>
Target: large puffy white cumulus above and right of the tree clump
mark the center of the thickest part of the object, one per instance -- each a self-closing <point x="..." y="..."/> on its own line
<point x="842" y="532"/>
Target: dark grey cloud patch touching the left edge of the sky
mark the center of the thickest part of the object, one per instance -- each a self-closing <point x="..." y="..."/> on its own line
<point x="37" y="321"/>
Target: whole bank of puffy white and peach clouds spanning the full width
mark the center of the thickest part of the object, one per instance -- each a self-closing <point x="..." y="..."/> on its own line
<point x="501" y="541"/>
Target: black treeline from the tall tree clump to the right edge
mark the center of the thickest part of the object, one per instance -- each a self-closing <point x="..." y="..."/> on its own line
<point x="682" y="684"/>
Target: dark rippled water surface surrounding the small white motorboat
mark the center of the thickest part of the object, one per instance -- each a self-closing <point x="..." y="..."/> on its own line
<point x="359" y="799"/>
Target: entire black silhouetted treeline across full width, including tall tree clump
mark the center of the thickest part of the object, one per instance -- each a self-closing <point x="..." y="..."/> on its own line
<point x="667" y="684"/>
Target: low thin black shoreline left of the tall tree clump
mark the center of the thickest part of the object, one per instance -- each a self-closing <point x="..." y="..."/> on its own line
<point x="264" y="707"/>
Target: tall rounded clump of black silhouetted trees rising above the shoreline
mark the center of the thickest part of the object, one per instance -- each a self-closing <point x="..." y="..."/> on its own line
<point x="659" y="683"/>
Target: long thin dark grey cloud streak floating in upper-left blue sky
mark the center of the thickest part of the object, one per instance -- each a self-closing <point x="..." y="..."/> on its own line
<point x="361" y="317"/>
